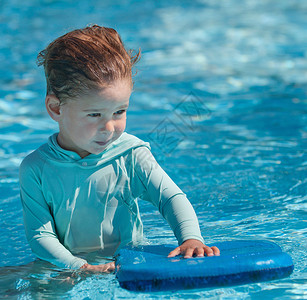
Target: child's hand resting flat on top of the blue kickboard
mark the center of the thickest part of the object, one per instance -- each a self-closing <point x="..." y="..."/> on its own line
<point x="194" y="247"/>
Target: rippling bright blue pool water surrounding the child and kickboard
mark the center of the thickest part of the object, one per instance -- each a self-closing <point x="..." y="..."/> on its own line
<point x="220" y="94"/>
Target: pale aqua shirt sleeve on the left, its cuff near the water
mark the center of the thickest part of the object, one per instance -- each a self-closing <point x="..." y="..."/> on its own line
<point x="38" y="221"/>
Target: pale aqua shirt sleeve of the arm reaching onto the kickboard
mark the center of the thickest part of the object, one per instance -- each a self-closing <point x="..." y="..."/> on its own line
<point x="154" y="185"/>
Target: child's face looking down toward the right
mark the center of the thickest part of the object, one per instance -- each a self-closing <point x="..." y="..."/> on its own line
<point x="91" y="123"/>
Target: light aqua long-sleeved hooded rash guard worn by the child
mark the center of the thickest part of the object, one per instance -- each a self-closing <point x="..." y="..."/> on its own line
<point x="73" y="205"/>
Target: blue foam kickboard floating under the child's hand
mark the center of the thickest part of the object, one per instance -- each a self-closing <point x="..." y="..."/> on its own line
<point x="147" y="268"/>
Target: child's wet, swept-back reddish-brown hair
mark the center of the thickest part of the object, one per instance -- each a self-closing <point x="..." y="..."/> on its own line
<point x="85" y="59"/>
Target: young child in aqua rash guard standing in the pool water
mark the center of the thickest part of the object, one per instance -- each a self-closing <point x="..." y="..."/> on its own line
<point x="79" y="190"/>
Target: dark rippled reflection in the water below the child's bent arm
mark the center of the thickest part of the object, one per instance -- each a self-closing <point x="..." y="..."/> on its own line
<point x="42" y="280"/>
